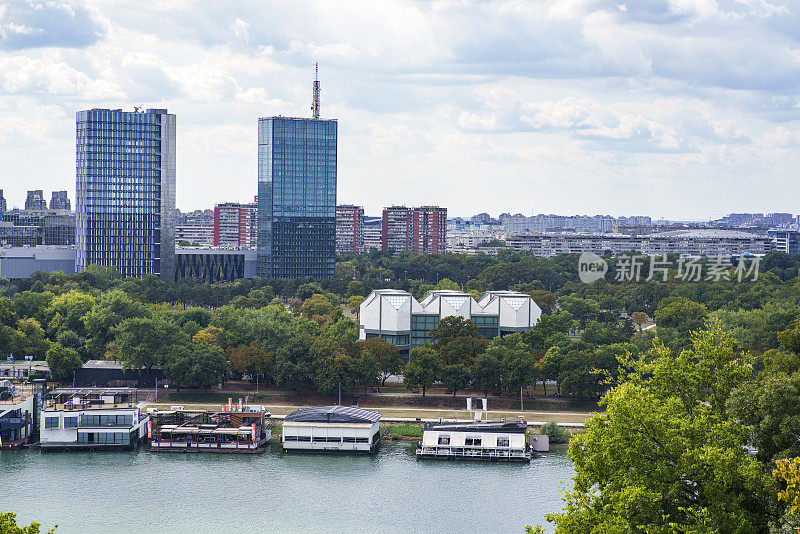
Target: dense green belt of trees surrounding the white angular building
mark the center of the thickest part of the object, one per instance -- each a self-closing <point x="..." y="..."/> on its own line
<point x="296" y="334"/>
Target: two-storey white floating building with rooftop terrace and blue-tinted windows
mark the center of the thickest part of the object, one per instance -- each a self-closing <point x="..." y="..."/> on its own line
<point x="92" y="418"/>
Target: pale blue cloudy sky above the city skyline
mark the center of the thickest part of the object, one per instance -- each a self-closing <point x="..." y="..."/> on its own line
<point x="681" y="109"/>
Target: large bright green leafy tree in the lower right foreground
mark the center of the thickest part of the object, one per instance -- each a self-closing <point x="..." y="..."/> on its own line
<point x="666" y="456"/>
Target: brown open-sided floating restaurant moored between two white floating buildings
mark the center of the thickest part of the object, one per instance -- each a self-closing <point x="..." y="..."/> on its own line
<point x="244" y="431"/>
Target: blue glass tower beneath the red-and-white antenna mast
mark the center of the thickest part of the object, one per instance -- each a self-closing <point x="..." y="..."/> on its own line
<point x="296" y="197"/>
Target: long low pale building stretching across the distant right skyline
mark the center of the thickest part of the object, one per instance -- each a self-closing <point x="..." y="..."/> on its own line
<point x="691" y="242"/>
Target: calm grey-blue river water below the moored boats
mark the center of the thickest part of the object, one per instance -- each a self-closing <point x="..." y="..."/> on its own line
<point x="140" y="492"/>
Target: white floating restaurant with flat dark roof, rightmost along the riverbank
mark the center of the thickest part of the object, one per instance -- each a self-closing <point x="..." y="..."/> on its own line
<point x="480" y="440"/>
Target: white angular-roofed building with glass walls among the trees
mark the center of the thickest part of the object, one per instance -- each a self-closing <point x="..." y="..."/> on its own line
<point x="398" y="318"/>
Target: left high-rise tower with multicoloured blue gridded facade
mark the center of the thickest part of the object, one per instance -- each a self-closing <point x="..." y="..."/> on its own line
<point x="125" y="199"/>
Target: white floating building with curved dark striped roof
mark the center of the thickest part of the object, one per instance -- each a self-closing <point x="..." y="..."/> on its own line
<point x="331" y="429"/>
